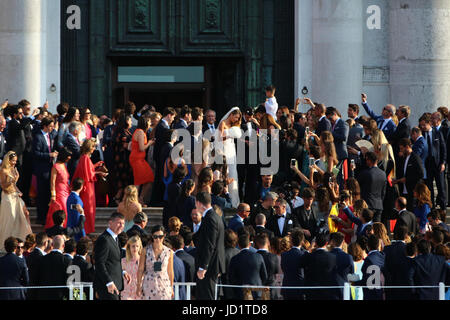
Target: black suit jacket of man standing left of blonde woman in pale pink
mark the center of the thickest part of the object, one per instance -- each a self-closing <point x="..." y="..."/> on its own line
<point x="108" y="265"/>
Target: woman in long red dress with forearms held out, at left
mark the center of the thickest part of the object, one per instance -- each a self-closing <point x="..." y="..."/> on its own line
<point x="86" y="171"/>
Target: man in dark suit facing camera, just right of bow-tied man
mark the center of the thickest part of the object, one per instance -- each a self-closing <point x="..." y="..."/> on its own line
<point x="305" y="215"/>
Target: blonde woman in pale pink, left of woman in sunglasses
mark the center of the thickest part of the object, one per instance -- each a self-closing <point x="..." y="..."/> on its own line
<point x="130" y="264"/>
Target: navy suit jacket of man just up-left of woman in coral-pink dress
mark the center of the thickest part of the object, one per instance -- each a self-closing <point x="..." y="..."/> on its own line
<point x="42" y="164"/>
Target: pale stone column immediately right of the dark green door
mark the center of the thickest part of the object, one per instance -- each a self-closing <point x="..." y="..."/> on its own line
<point x="337" y="52"/>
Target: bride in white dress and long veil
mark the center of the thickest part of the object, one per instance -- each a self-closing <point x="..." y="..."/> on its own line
<point x="229" y="129"/>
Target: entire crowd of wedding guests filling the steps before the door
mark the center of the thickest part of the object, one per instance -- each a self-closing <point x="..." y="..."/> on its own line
<point x="349" y="197"/>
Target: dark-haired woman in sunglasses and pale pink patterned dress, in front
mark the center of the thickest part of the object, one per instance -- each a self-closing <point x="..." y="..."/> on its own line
<point x="155" y="274"/>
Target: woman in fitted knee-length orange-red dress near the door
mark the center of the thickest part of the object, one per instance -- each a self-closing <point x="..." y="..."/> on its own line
<point x="142" y="172"/>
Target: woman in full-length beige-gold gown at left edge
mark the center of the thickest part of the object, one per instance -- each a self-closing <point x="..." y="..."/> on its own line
<point x="14" y="216"/>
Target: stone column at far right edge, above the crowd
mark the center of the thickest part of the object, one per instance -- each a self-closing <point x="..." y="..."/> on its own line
<point x="420" y="54"/>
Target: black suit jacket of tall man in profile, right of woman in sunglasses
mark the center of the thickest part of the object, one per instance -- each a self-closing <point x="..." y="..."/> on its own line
<point x="211" y="249"/>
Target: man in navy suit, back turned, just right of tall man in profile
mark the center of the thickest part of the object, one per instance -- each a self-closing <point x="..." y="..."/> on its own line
<point x="246" y="268"/>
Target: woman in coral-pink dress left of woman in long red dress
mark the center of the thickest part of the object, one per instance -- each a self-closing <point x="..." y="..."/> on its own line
<point x="59" y="187"/>
